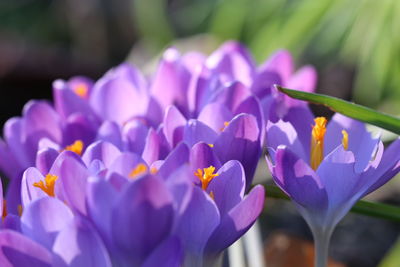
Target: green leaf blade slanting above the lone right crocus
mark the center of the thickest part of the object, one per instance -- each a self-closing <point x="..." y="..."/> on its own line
<point x="349" y="109"/>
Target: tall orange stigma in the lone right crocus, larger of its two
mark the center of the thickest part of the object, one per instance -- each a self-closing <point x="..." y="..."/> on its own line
<point x="317" y="142"/>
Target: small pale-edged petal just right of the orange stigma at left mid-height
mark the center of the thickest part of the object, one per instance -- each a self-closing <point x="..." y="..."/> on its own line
<point x="103" y="151"/>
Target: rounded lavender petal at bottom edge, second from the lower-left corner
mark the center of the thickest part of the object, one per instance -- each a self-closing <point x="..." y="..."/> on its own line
<point x="78" y="244"/>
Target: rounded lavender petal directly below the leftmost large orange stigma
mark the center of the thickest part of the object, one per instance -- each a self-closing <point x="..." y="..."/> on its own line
<point x="43" y="219"/>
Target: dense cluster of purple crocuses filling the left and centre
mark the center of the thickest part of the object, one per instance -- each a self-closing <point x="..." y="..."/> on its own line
<point x="142" y="171"/>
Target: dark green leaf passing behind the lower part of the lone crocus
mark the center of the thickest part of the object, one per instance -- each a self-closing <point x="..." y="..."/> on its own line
<point x="372" y="209"/>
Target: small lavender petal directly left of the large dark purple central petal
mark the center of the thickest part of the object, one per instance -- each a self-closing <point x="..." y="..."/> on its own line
<point x="196" y="131"/>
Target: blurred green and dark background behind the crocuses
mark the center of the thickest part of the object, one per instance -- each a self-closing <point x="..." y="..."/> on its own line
<point x="354" y="45"/>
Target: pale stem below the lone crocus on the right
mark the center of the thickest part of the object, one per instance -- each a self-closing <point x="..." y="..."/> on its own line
<point x="321" y="243"/>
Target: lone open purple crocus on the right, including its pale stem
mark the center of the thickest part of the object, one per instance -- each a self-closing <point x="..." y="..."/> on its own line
<point x="327" y="175"/>
